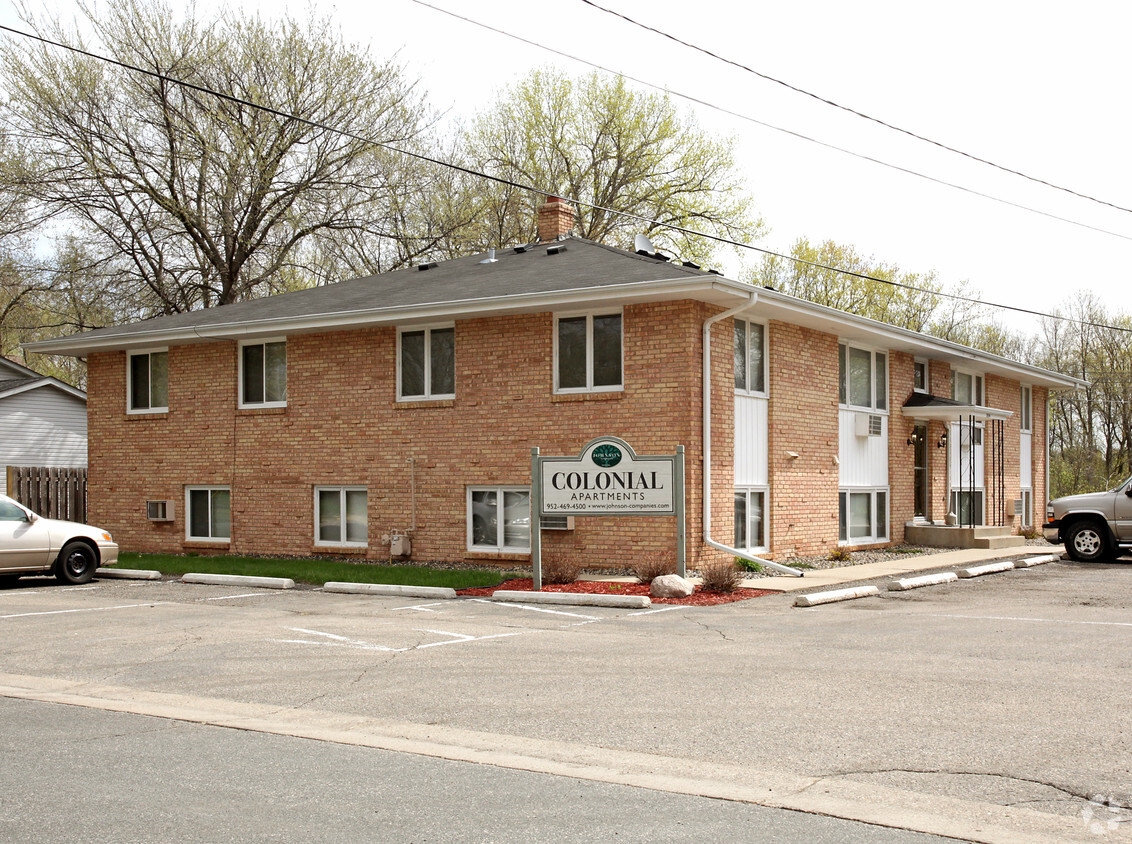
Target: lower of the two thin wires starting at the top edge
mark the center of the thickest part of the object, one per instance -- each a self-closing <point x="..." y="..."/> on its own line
<point x="773" y="127"/>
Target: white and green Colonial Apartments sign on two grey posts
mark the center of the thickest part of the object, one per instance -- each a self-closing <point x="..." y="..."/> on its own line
<point x="607" y="479"/>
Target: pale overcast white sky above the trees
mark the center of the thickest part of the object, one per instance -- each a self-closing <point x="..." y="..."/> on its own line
<point x="1039" y="88"/>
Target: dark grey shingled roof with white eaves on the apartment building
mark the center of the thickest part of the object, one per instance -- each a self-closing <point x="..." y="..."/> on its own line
<point x="561" y="275"/>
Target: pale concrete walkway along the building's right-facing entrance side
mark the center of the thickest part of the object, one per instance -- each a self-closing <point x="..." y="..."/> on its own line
<point x="895" y="569"/>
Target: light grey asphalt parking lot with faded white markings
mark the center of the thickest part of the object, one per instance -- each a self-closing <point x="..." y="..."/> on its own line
<point x="983" y="709"/>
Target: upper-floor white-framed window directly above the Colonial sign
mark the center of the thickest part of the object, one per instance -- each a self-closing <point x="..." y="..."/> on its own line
<point x="588" y="354"/>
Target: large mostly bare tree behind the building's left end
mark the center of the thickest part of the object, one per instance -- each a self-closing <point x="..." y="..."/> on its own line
<point x="201" y="201"/>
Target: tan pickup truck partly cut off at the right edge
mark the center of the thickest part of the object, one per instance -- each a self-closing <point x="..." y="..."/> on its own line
<point x="1094" y="527"/>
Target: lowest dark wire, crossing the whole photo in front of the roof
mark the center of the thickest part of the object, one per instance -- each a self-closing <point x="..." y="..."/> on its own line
<point x="536" y="190"/>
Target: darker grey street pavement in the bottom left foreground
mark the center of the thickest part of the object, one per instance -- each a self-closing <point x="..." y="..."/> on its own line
<point x="104" y="777"/>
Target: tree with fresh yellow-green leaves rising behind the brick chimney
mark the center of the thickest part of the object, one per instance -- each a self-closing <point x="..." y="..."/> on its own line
<point x="614" y="150"/>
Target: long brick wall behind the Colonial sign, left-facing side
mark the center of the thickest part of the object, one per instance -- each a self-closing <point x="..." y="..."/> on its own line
<point x="344" y="426"/>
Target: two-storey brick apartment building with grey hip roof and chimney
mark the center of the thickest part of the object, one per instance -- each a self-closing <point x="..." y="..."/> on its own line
<point x="335" y="420"/>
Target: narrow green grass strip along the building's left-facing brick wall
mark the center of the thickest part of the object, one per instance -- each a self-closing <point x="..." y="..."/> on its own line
<point x="314" y="572"/>
